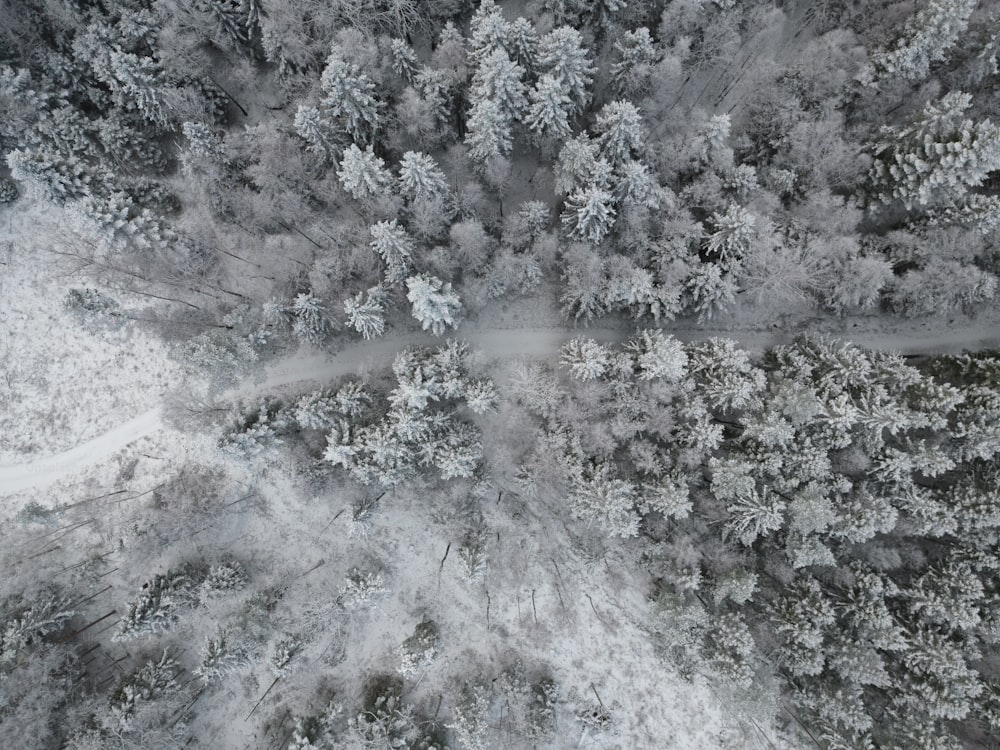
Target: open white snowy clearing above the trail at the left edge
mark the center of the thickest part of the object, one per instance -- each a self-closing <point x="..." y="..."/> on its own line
<point x="63" y="384"/>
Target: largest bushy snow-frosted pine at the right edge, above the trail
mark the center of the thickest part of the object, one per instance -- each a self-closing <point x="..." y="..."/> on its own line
<point x="936" y="158"/>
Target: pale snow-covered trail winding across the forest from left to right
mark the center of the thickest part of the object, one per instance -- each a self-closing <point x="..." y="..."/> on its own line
<point x="494" y="342"/>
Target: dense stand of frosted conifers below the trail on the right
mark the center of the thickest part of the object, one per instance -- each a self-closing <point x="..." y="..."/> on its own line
<point x="831" y="516"/>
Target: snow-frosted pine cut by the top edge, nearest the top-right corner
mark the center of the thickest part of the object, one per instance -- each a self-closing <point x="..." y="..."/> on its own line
<point x="927" y="38"/>
